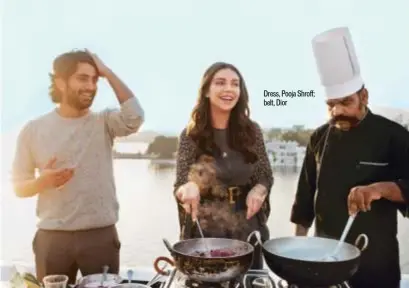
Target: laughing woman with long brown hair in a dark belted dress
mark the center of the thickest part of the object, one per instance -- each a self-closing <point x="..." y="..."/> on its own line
<point x="220" y="127"/>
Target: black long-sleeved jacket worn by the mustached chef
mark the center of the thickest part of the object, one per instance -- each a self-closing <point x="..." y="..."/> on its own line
<point x="376" y="150"/>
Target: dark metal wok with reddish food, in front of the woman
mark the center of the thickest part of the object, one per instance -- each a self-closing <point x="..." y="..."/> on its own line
<point x="205" y="268"/>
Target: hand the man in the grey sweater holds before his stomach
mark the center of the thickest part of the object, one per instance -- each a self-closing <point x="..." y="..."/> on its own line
<point x="54" y="178"/>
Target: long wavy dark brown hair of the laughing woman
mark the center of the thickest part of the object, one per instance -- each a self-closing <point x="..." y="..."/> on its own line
<point x="241" y="130"/>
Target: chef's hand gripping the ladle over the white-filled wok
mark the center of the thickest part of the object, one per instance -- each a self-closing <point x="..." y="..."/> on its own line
<point x="361" y="197"/>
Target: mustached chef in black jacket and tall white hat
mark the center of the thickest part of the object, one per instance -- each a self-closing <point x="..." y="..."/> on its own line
<point x="356" y="163"/>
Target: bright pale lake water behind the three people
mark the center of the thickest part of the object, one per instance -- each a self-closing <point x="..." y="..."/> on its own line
<point x="147" y="213"/>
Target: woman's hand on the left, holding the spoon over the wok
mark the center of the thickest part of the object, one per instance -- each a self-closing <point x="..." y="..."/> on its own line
<point x="189" y="195"/>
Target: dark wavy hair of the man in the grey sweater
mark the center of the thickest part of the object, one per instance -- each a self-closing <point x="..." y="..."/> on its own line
<point x="65" y="66"/>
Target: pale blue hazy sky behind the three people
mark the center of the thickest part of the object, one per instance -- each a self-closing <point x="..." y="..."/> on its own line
<point x="161" y="48"/>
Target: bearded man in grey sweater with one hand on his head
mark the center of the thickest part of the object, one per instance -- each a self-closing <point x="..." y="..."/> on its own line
<point x="71" y="148"/>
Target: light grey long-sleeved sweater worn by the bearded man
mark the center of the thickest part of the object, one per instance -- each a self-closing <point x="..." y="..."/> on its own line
<point x="88" y="200"/>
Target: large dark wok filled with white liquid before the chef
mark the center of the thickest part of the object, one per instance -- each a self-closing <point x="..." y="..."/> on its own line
<point x="302" y="260"/>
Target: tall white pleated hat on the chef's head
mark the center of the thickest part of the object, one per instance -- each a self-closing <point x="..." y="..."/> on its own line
<point x="337" y="63"/>
